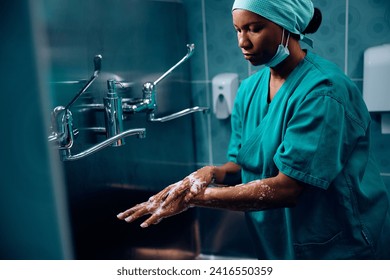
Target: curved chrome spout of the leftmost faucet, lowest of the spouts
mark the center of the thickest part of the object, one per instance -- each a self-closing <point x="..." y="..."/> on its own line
<point x="137" y="131"/>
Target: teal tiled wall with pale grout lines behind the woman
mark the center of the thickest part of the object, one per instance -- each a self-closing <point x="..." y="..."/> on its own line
<point x="349" y="27"/>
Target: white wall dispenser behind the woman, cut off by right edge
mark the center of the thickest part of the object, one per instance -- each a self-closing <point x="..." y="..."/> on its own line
<point x="376" y="82"/>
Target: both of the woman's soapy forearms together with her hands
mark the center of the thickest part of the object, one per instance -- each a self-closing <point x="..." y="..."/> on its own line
<point x="276" y="192"/>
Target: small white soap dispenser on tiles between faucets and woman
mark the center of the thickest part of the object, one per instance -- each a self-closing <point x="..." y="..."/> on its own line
<point x="224" y="91"/>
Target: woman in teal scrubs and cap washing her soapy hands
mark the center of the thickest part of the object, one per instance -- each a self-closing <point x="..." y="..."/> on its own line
<point x="301" y="144"/>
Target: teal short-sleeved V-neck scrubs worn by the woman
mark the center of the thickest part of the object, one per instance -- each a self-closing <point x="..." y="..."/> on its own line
<point x="317" y="131"/>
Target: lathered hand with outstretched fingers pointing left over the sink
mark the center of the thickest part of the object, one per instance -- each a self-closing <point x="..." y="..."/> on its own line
<point x="172" y="200"/>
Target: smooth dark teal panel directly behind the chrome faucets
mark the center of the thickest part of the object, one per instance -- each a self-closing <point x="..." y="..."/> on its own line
<point x="137" y="45"/>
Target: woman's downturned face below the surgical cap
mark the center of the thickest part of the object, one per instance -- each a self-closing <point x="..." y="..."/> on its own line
<point x="257" y="37"/>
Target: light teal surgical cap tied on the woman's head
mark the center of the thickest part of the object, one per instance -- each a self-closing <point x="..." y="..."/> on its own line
<point x="292" y="15"/>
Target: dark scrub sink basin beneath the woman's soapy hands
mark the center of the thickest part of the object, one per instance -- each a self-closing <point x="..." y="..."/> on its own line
<point x="98" y="234"/>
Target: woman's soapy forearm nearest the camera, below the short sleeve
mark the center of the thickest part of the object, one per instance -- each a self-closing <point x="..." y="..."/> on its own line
<point x="276" y="192"/>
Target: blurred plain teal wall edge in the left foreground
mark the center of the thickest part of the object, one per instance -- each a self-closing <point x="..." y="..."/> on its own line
<point x="33" y="220"/>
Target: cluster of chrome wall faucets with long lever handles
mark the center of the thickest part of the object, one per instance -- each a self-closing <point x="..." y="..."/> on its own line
<point x="114" y="108"/>
